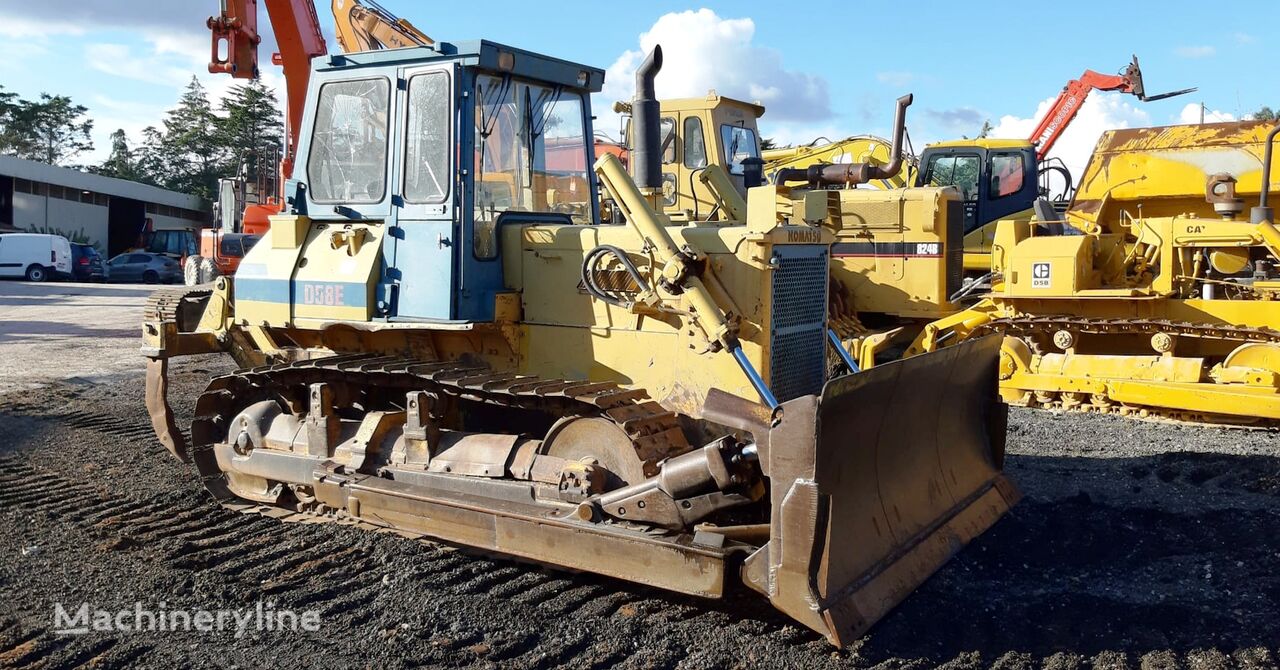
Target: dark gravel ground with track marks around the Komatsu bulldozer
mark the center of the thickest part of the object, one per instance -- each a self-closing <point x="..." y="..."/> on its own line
<point x="1139" y="545"/>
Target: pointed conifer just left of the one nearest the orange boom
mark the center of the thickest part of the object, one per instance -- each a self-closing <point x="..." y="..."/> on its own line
<point x="194" y="152"/>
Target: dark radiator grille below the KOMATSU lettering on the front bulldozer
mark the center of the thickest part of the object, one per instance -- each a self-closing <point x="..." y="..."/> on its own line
<point x="798" y="354"/>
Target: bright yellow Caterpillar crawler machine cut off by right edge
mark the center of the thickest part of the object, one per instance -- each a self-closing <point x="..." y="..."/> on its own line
<point x="1165" y="303"/>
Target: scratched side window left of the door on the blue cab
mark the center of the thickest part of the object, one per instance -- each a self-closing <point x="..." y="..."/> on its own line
<point x="354" y="138"/>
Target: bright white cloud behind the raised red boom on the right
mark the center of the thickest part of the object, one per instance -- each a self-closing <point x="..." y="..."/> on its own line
<point x="1100" y="112"/>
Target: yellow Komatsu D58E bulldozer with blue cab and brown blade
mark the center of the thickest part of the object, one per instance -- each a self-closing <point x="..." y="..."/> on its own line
<point x="438" y="338"/>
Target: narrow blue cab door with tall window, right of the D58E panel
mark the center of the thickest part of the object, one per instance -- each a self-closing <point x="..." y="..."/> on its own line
<point x="422" y="268"/>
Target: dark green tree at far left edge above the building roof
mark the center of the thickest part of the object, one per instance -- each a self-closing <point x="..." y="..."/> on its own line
<point x="52" y="130"/>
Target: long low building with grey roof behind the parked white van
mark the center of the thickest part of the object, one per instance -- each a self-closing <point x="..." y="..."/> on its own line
<point x="102" y="211"/>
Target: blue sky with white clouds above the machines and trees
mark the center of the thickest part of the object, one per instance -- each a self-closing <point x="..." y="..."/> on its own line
<point x="833" y="72"/>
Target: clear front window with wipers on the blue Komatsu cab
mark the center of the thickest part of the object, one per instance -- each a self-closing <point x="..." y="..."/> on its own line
<point x="532" y="154"/>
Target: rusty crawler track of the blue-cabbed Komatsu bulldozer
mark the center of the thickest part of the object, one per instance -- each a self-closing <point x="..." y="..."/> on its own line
<point x="655" y="432"/>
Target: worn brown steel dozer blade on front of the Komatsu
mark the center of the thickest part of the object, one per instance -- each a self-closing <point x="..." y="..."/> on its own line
<point x="880" y="481"/>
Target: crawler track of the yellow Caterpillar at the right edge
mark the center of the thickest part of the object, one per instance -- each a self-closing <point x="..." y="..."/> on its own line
<point x="1027" y="329"/>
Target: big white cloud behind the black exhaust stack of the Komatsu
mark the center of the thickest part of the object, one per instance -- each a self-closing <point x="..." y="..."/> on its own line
<point x="703" y="52"/>
